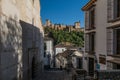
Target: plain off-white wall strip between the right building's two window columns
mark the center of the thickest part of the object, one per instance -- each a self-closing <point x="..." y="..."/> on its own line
<point x="101" y="24"/>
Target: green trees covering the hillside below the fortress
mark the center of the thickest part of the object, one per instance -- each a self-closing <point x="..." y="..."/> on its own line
<point x="59" y="36"/>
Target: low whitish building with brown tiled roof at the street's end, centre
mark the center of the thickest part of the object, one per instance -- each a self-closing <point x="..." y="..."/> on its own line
<point x="70" y="58"/>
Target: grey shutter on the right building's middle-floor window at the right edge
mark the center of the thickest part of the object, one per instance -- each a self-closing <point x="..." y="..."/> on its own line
<point x="109" y="41"/>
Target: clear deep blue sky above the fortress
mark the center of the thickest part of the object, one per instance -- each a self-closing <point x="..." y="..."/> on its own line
<point x="63" y="11"/>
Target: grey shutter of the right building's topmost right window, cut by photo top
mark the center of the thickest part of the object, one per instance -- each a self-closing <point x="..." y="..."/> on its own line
<point x="110" y="10"/>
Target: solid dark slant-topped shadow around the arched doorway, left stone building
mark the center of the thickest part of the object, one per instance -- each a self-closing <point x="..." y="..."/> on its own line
<point x="32" y="45"/>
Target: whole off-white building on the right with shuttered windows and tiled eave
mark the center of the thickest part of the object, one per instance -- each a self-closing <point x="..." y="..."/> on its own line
<point x="102" y="35"/>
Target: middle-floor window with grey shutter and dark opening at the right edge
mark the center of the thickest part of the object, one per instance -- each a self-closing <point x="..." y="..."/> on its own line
<point x="113" y="41"/>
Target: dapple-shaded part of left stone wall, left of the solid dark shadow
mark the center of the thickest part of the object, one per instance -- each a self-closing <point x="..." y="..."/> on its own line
<point x="11" y="48"/>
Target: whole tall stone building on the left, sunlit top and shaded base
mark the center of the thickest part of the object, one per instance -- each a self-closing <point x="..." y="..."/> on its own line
<point x="21" y="39"/>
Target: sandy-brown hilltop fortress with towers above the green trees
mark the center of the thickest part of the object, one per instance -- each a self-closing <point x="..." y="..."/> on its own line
<point x="75" y="27"/>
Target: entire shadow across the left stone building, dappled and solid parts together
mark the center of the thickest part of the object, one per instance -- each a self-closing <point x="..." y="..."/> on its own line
<point x="16" y="39"/>
